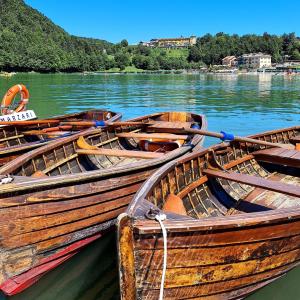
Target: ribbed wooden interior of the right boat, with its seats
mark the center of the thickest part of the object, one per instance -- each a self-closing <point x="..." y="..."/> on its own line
<point x="230" y="179"/>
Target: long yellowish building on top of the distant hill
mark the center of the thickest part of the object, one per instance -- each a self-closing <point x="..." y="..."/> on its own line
<point x="180" y="42"/>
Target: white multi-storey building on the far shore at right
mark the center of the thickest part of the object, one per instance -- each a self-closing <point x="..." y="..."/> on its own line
<point x="255" y="60"/>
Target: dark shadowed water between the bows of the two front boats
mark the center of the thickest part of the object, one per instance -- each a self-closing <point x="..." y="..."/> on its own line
<point x="89" y="275"/>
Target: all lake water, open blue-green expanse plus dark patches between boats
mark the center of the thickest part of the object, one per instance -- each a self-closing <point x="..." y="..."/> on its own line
<point x="241" y="104"/>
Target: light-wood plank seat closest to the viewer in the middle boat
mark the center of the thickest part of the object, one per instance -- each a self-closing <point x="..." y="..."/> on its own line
<point x="120" y="153"/>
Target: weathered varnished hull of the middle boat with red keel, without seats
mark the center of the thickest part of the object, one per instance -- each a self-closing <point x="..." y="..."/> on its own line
<point x="46" y="220"/>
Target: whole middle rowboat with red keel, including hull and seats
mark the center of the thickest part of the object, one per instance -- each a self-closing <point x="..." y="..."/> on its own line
<point x="69" y="192"/>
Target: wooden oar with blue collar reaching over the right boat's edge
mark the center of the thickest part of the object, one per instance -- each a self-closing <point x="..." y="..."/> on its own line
<point x="230" y="137"/>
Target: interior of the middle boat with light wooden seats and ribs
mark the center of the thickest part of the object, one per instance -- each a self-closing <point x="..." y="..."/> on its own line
<point x="108" y="147"/>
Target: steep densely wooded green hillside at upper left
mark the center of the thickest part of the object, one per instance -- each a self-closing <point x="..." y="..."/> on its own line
<point x="30" y="41"/>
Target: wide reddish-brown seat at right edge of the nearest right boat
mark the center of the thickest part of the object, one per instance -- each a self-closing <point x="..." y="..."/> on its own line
<point x="279" y="156"/>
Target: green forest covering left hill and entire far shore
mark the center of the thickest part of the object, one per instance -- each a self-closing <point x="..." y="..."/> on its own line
<point x="29" y="41"/>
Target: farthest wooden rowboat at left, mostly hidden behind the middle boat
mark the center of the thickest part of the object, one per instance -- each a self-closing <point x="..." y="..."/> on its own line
<point x="17" y="139"/>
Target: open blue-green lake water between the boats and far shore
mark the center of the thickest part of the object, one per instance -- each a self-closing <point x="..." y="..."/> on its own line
<point x="242" y="104"/>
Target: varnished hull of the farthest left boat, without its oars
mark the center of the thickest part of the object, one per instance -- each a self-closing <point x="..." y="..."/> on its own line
<point x="13" y="141"/>
